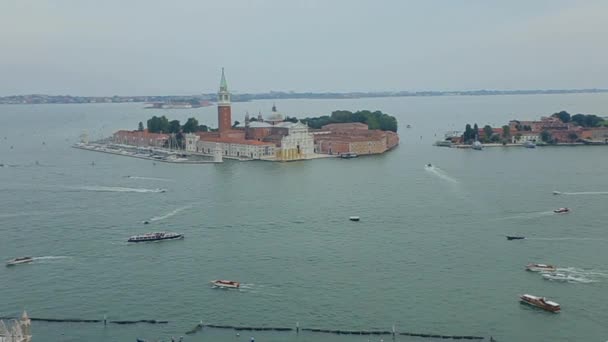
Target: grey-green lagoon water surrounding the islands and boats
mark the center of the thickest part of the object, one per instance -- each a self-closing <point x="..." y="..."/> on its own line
<point x="429" y="254"/>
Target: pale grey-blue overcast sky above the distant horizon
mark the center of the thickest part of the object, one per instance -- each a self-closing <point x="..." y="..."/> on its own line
<point x="178" y="47"/>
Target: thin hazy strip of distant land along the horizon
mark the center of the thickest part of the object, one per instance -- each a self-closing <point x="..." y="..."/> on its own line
<point x="68" y="99"/>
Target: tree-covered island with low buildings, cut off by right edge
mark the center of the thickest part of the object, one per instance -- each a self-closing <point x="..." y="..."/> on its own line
<point x="557" y="129"/>
